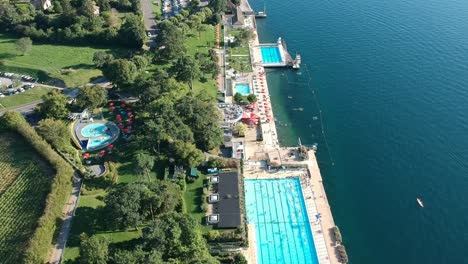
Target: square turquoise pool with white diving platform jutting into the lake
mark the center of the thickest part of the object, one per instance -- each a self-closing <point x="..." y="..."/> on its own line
<point x="277" y="55"/>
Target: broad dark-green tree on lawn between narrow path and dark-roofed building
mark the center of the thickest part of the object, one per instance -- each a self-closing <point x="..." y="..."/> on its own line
<point x="123" y="206"/>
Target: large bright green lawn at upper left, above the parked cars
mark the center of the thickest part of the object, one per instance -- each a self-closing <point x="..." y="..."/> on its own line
<point x="72" y="65"/>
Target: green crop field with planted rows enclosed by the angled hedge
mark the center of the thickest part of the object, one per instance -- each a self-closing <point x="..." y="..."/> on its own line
<point x="24" y="184"/>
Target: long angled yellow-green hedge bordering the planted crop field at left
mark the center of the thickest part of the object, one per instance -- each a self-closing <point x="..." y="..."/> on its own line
<point x="39" y="245"/>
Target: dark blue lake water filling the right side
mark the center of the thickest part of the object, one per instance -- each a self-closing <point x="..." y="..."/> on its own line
<point x="387" y="83"/>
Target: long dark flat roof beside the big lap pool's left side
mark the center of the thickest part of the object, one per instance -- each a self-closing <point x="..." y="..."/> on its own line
<point x="228" y="206"/>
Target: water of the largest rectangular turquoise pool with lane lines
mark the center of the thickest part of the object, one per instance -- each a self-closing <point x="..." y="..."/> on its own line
<point x="277" y="209"/>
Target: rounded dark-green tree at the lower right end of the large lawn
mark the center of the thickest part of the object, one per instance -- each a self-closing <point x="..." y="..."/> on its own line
<point x="121" y="72"/>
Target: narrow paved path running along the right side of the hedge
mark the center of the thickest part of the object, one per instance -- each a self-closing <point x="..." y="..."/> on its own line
<point x="68" y="213"/>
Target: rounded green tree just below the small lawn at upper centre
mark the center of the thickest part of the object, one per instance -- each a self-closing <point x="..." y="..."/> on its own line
<point x="186" y="70"/>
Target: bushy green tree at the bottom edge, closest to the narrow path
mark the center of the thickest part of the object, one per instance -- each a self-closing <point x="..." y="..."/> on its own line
<point x="94" y="250"/>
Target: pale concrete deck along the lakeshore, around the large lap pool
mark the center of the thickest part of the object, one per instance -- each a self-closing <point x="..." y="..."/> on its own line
<point x="311" y="179"/>
